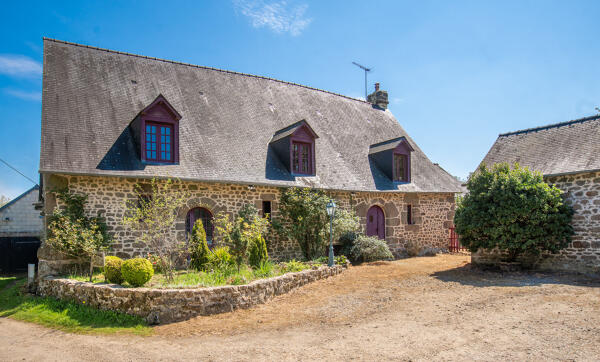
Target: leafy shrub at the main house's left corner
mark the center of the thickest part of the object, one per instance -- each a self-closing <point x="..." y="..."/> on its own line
<point x="73" y="233"/>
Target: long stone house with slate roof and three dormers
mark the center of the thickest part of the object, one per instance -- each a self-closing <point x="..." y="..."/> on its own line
<point x="111" y="120"/>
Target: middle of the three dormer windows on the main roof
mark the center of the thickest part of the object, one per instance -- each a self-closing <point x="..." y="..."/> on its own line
<point x="295" y="147"/>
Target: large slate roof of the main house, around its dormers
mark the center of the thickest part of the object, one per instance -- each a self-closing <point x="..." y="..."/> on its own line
<point x="91" y="95"/>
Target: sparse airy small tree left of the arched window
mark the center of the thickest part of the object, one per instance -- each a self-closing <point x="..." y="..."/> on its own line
<point x="153" y="214"/>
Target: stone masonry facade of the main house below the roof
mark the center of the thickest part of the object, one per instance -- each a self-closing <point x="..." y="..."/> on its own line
<point x="432" y="212"/>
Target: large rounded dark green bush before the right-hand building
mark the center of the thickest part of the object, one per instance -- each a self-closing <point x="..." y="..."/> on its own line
<point x="513" y="210"/>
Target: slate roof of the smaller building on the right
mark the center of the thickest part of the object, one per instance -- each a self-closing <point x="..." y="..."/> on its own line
<point x="561" y="148"/>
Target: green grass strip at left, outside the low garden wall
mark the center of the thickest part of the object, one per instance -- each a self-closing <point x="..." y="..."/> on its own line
<point x="66" y="316"/>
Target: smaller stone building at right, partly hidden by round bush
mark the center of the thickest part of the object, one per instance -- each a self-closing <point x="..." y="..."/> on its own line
<point x="567" y="155"/>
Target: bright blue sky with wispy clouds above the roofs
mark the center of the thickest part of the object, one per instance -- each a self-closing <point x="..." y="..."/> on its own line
<point x="458" y="72"/>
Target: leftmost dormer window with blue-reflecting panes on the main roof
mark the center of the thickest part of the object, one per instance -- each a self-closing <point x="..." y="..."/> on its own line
<point x="157" y="129"/>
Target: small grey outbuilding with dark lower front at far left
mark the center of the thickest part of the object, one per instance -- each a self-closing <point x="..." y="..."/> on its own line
<point x="20" y="229"/>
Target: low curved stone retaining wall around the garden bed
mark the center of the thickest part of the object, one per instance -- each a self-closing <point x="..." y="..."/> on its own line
<point x="172" y="305"/>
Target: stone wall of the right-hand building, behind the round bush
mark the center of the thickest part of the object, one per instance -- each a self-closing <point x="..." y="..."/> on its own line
<point x="582" y="192"/>
